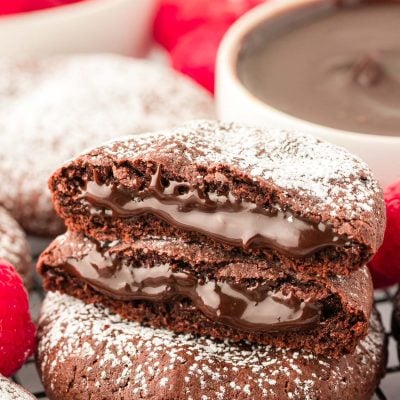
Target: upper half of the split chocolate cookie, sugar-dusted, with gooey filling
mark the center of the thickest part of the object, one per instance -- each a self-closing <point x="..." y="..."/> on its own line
<point x="297" y="201"/>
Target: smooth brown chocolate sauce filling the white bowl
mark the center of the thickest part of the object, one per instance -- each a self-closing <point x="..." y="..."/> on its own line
<point x="333" y="64"/>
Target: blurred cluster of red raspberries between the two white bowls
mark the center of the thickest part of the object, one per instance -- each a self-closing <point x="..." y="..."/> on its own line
<point x="191" y="30"/>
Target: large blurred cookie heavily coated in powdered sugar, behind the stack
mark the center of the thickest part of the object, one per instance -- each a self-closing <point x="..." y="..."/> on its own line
<point x="54" y="108"/>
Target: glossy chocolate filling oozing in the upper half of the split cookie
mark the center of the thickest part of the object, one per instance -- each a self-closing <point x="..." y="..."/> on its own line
<point x="224" y="218"/>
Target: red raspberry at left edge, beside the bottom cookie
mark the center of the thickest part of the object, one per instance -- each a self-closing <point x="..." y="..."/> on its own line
<point x="17" y="331"/>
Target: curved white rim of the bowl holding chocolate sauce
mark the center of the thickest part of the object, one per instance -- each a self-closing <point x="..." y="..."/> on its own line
<point x="228" y="53"/>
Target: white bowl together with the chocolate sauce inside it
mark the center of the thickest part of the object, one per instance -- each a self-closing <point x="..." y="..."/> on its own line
<point x="328" y="67"/>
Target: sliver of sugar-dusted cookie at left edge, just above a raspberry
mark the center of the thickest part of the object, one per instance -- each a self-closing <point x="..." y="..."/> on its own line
<point x="14" y="247"/>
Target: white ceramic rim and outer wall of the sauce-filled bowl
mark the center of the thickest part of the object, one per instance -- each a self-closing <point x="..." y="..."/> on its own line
<point x="235" y="102"/>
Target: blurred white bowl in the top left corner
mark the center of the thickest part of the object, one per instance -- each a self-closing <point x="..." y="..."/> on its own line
<point x="117" y="26"/>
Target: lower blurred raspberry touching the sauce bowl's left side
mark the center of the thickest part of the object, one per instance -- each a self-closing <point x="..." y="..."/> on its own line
<point x="196" y="53"/>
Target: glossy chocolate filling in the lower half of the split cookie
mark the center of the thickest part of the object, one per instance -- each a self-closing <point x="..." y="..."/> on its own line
<point x="254" y="309"/>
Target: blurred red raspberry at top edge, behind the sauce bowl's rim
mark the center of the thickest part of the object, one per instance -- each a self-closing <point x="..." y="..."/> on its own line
<point x="176" y="18"/>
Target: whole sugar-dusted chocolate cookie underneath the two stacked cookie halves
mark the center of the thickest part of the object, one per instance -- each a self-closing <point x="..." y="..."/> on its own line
<point x="86" y="352"/>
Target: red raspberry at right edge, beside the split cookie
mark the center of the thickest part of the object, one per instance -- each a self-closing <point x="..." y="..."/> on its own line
<point x="385" y="266"/>
